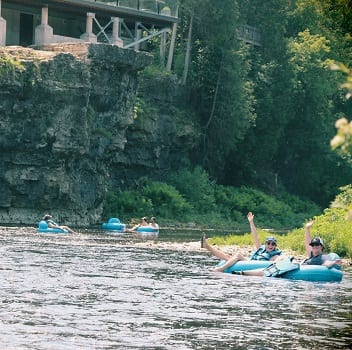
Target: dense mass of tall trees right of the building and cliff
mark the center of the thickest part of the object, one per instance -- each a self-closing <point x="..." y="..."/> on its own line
<point x="267" y="112"/>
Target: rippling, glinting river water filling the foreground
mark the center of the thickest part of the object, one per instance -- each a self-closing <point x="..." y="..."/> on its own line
<point x="98" y="291"/>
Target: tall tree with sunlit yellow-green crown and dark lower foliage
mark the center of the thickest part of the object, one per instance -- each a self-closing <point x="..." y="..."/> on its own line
<point x="309" y="167"/>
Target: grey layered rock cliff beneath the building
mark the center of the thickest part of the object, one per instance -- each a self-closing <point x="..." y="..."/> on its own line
<point x="69" y="130"/>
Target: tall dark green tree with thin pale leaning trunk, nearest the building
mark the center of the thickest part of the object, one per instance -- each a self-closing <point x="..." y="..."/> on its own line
<point x="217" y="81"/>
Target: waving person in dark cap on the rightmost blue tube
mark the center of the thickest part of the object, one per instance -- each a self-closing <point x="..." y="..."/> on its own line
<point x="315" y="248"/>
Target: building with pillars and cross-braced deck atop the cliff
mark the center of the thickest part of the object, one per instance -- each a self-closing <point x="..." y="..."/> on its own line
<point x="125" y="23"/>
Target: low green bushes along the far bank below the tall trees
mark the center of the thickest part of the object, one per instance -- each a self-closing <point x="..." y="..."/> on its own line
<point x="192" y="196"/>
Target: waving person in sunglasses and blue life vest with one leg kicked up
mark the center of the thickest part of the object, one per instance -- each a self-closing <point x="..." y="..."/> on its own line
<point x="267" y="251"/>
